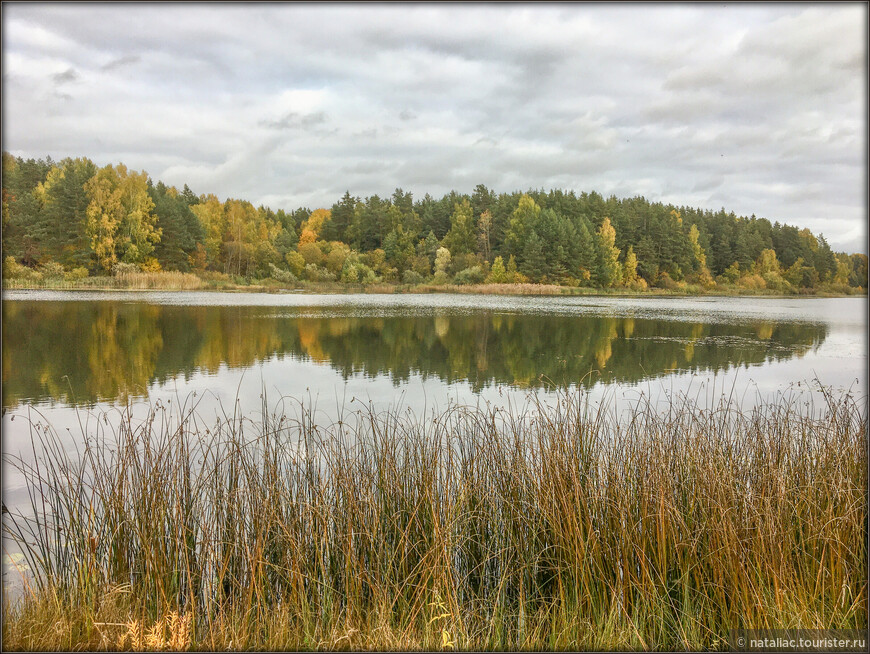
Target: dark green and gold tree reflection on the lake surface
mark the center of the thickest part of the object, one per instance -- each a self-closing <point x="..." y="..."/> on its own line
<point x="84" y="352"/>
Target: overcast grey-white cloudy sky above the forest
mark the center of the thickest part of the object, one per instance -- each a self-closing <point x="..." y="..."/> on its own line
<point x="756" y="108"/>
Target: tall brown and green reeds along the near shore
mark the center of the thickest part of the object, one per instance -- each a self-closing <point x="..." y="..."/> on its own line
<point x="564" y="526"/>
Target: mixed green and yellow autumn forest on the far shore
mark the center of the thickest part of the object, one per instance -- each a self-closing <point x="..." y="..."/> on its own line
<point x="72" y="219"/>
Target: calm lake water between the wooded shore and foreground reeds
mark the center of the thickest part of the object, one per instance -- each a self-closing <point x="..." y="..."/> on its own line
<point x="70" y="358"/>
